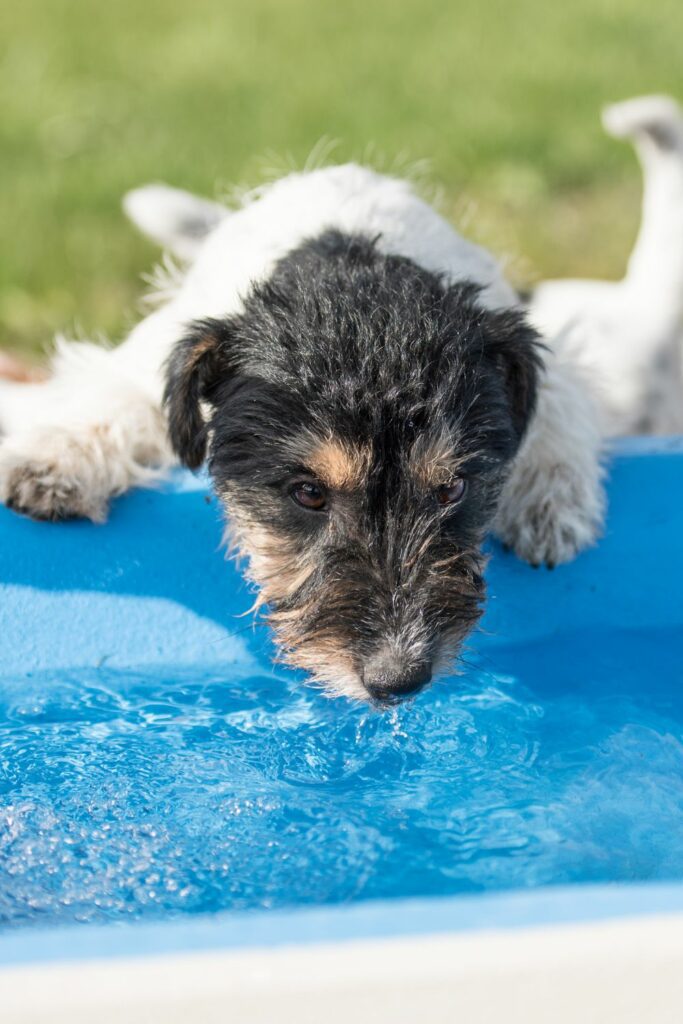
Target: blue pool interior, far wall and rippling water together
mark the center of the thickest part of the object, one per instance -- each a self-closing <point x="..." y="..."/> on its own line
<point x="154" y="764"/>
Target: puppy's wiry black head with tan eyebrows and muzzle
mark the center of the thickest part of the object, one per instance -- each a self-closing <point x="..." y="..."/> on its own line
<point x="360" y="416"/>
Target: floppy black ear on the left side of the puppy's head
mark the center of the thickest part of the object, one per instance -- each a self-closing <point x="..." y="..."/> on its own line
<point x="196" y="367"/>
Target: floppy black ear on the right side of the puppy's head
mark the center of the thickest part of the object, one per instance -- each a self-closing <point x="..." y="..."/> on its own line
<point x="517" y="350"/>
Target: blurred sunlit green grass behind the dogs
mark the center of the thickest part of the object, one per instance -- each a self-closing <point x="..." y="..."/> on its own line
<point x="502" y="98"/>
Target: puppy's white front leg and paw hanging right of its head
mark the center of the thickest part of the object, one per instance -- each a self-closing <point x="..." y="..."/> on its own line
<point x="553" y="504"/>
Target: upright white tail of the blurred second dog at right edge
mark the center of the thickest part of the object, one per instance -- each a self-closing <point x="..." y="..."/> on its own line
<point x="655" y="125"/>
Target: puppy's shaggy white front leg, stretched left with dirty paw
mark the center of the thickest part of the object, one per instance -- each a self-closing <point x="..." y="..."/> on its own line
<point x="94" y="431"/>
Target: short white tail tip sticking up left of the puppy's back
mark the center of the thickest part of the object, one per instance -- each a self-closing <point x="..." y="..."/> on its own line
<point x="175" y="220"/>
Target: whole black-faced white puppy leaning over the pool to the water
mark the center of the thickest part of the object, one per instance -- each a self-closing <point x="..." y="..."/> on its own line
<point x="371" y="399"/>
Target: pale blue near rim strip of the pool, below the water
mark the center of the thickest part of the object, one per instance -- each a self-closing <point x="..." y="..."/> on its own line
<point x="507" y="911"/>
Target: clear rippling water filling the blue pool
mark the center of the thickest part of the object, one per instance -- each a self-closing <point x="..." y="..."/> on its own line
<point x="130" y="796"/>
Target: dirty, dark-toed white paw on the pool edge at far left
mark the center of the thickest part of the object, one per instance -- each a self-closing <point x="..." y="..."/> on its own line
<point x="52" y="478"/>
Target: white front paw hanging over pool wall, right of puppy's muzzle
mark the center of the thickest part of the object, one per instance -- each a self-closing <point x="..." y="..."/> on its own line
<point x="548" y="516"/>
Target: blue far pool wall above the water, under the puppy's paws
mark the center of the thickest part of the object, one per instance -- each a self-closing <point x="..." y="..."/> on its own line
<point x="153" y="586"/>
